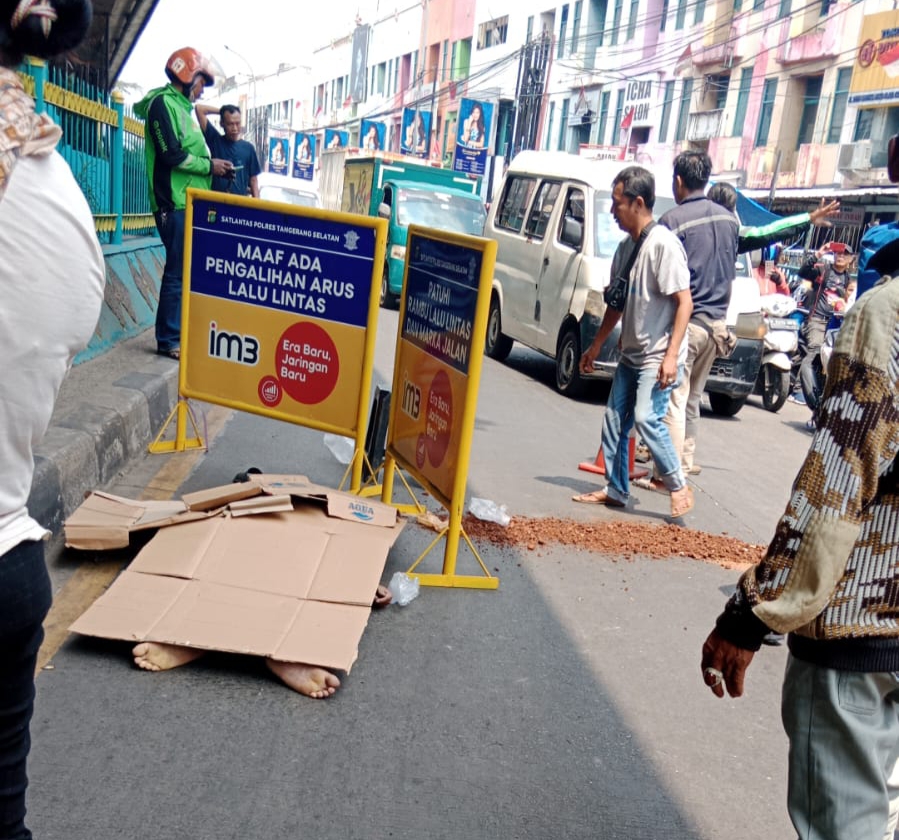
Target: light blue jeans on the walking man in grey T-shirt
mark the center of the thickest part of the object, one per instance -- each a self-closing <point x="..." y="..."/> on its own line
<point x="637" y="400"/>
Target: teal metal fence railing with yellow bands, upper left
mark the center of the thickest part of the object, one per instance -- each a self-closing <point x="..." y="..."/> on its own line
<point x="103" y="143"/>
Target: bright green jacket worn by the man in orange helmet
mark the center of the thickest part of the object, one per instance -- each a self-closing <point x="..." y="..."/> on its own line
<point x="177" y="155"/>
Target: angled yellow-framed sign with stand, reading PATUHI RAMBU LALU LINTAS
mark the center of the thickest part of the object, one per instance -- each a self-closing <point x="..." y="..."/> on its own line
<point x="437" y="373"/>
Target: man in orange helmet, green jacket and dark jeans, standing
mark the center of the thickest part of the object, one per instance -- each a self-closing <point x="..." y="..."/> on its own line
<point x="177" y="158"/>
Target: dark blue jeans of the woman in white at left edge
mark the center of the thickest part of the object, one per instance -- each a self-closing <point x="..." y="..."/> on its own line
<point x="25" y="597"/>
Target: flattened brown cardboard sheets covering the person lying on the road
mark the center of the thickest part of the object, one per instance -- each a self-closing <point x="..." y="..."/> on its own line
<point x="293" y="582"/>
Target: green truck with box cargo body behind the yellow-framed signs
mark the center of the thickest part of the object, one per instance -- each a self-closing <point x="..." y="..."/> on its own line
<point x="404" y="191"/>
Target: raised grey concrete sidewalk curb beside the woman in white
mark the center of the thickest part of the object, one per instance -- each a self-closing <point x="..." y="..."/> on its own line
<point x="108" y="411"/>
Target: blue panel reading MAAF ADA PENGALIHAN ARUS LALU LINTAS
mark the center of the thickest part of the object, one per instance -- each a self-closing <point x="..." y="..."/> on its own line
<point x="300" y="264"/>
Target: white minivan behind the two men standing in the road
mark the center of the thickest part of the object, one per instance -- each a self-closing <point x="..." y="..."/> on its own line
<point x="555" y="240"/>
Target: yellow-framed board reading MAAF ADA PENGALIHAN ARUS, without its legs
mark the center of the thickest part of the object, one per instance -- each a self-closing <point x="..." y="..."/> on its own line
<point x="280" y="309"/>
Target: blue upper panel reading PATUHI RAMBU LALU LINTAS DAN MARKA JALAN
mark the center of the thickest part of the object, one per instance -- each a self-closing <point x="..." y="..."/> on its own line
<point x="441" y="296"/>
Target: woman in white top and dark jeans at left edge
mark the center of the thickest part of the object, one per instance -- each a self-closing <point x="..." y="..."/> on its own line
<point x="51" y="288"/>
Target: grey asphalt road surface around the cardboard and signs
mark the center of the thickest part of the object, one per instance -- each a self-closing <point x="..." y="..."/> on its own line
<point x="566" y="704"/>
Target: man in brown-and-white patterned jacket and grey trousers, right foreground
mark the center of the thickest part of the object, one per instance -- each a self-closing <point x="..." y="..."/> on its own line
<point x="830" y="578"/>
